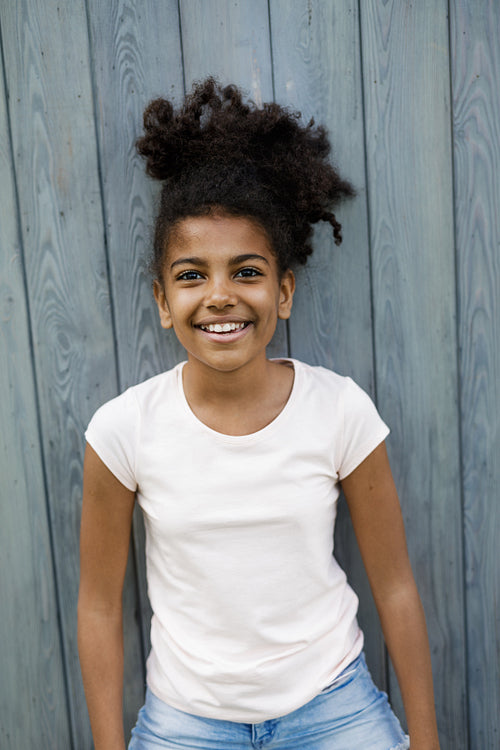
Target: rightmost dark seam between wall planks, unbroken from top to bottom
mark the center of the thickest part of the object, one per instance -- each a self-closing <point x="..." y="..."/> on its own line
<point x="459" y="376"/>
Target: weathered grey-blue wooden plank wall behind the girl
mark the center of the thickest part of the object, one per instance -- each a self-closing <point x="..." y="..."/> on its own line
<point x="409" y="305"/>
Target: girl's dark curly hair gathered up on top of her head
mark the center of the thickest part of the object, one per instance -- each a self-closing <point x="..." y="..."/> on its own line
<point x="218" y="153"/>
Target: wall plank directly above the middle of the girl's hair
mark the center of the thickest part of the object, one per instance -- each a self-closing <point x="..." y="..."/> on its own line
<point x="231" y="41"/>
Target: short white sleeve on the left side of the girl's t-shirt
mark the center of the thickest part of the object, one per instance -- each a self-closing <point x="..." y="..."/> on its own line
<point x="113" y="434"/>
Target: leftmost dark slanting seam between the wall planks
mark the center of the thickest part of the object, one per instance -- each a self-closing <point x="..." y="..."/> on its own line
<point x="38" y="417"/>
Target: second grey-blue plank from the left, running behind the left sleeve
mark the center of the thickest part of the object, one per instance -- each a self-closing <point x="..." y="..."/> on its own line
<point x="46" y="52"/>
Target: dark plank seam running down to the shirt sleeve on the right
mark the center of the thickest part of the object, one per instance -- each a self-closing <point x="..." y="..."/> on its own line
<point x="370" y="262"/>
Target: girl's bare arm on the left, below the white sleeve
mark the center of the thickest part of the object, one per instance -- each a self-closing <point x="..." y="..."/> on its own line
<point x="104" y="542"/>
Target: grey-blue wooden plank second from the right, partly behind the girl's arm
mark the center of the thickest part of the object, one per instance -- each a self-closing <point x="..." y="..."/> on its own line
<point x="406" y="86"/>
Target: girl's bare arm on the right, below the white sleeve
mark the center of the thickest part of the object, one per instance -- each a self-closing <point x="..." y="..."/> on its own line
<point x="378" y="524"/>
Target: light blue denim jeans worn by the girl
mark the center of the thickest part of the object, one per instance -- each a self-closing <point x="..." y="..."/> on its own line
<point x="351" y="714"/>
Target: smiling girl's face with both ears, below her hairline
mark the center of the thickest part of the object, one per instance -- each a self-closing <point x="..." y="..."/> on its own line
<point x="222" y="292"/>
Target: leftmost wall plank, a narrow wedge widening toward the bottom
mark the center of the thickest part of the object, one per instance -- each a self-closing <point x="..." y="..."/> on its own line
<point x="33" y="704"/>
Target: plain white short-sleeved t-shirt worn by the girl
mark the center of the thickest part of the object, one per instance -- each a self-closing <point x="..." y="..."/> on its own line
<point x="252" y="615"/>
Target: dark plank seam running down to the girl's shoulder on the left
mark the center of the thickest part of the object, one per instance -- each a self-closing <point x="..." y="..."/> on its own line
<point x="93" y="87"/>
